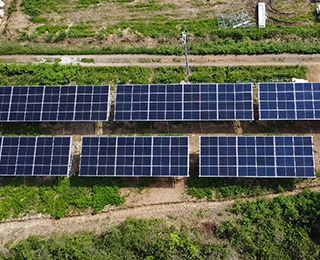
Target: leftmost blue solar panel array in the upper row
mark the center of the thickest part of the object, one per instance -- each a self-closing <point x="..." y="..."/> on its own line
<point x="54" y="103"/>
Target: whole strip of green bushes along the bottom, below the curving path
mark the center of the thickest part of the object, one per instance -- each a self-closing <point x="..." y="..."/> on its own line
<point x="280" y="228"/>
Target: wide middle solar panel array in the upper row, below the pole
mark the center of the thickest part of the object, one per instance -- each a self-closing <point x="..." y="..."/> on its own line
<point x="184" y="102"/>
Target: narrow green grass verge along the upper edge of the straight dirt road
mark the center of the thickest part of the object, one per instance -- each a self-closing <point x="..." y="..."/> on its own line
<point x="216" y="47"/>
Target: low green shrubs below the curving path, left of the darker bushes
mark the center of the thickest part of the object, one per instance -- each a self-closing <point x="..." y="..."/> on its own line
<point x="134" y="239"/>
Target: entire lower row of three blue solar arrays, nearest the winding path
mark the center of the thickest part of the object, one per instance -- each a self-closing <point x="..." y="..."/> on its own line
<point x="220" y="156"/>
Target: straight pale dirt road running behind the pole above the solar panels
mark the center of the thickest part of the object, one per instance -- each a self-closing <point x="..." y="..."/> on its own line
<point x="164" y="61"/>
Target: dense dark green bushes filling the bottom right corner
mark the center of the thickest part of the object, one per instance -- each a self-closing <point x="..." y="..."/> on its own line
<point x="282" y="228"/>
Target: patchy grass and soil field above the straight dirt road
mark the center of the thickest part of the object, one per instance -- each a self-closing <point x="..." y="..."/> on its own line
<point x="154" y="27"/>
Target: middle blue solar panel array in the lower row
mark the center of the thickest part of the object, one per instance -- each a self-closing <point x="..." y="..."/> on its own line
<point x="135" y="156"/>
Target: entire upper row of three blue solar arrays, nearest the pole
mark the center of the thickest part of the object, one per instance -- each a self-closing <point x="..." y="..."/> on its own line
<point x="277" y="101"/>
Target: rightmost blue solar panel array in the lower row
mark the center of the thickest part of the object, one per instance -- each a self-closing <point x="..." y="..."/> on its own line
<point x="257" y="156"/>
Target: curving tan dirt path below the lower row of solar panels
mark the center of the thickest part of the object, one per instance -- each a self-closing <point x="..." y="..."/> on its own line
<point x="186" y="211"/>
